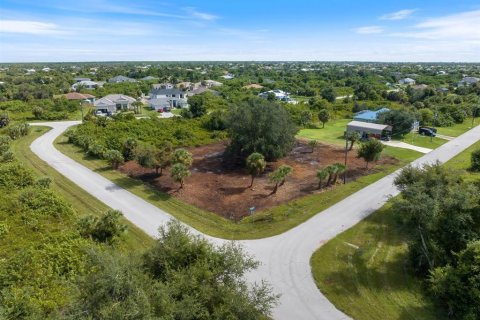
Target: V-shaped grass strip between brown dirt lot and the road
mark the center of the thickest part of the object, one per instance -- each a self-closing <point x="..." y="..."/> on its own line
<point x="263" y="224"/>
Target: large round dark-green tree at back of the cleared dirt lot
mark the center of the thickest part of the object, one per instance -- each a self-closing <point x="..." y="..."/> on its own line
<point x="265" y="127"/>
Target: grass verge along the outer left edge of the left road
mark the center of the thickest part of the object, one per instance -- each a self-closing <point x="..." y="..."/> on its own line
<point x="81" y="201"/>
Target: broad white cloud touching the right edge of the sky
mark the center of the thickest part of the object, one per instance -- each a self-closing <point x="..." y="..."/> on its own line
<point x="459" y="27"/>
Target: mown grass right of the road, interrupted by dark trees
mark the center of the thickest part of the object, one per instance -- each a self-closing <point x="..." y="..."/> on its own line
<point x="373" y="281"/>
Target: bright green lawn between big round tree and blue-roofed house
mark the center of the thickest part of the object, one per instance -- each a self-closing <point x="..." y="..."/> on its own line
<point x="332" y="133"/>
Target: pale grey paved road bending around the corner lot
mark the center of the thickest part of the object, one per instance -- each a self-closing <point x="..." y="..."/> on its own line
<point x="284" y="258"/>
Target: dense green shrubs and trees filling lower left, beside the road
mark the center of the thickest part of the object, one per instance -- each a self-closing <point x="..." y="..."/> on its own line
<point x="56" y="263"/>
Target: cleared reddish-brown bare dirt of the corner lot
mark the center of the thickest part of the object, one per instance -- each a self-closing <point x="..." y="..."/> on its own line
<point x="226" y="191"/>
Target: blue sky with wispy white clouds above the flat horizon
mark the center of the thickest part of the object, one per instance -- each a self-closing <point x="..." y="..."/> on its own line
<point x="239" y="30"/>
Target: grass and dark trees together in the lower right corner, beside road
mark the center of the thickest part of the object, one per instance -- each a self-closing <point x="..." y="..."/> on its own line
<point x="410" y="259"/>
